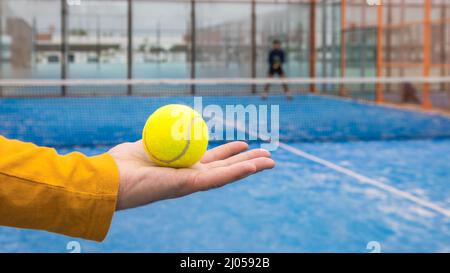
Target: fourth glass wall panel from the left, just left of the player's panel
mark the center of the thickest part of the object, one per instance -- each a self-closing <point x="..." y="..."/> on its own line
<point x="223" y="39"/>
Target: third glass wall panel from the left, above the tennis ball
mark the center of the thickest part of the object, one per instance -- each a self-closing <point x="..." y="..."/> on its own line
<point x="161" y="42"/>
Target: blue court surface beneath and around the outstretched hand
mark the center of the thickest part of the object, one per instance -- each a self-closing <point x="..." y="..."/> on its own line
<point x="348" y="174"/>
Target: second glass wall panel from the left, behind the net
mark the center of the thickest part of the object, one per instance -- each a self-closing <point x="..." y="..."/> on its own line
<point x="97" y="39"/>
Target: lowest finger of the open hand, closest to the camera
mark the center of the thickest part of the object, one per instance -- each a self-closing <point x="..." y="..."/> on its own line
<point x="220" y="176"/>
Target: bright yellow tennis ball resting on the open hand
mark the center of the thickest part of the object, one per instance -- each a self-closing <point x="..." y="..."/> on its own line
<point x="175" y="136"/>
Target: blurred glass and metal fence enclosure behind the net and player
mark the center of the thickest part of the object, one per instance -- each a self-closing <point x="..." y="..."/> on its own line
<point x="206" y="38"/>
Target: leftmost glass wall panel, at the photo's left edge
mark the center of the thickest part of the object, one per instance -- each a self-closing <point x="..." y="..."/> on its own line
<point x="29" y="39"/>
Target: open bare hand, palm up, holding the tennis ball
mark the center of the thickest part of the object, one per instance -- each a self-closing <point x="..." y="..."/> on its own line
<point x="142" y="182"/>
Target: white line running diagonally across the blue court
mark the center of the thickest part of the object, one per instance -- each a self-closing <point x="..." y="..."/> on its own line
<point x="359" y="177"/>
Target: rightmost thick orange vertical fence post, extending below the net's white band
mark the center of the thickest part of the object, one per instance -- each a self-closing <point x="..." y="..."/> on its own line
<point x="426" y="102"/>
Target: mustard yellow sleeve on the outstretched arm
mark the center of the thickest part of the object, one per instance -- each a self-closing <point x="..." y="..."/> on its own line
<point x="69" y="194"/>
